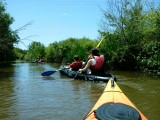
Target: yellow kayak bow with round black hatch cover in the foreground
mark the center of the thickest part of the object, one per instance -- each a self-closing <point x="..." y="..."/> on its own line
<point x="114" y="105"/>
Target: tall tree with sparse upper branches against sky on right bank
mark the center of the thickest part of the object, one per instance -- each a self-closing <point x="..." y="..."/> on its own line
<point x="125" y="19"/>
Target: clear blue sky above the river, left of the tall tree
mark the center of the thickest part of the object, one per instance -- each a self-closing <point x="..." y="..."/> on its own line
<point x="55" y="20"/>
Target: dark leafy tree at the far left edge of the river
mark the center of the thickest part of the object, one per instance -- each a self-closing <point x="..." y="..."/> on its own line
<point x="7" y="36"/>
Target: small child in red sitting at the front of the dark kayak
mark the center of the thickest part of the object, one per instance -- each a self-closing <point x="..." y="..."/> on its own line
<point x="76" y="65"/>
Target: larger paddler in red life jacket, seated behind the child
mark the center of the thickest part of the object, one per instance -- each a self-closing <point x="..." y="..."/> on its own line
<point x="95" y="64"/>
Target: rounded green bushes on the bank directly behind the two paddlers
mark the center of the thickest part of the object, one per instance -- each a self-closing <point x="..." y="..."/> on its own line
<point x="66" y="49"/>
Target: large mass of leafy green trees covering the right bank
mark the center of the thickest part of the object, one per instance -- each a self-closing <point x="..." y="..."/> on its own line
<point x="134" y="36"/>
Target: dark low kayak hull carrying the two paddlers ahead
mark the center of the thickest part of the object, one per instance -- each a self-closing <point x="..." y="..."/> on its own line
<point x="74" y="74"/>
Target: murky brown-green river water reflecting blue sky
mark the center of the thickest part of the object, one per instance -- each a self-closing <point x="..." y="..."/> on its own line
<point x="25" y="95"/>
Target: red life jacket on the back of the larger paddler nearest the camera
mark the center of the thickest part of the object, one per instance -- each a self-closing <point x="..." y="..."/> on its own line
<point x="98" y="67"/>
